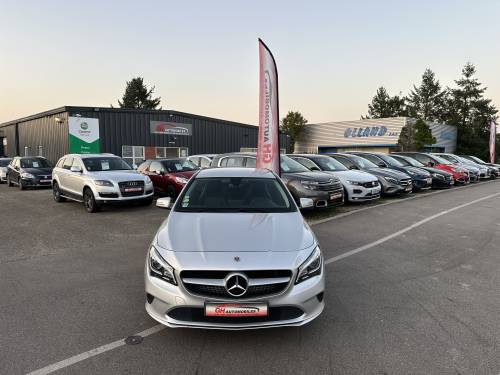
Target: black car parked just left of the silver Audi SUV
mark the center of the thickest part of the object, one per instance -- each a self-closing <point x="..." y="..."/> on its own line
<point x="29" y="171"/>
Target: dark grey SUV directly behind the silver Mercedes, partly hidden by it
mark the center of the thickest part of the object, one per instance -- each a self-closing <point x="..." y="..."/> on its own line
<point x="325" y="190"/>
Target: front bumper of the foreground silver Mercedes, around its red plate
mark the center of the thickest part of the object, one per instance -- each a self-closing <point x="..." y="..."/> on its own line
<point x="175" y="307"/>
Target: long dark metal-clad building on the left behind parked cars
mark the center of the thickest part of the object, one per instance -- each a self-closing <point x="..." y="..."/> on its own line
<point x="133" y="134"/>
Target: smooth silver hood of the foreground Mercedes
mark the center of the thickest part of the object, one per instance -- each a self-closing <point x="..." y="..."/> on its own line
<point x="230" y="232"/>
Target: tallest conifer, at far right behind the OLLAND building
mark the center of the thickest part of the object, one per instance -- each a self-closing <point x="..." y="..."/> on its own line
<point x="471" y="113"/>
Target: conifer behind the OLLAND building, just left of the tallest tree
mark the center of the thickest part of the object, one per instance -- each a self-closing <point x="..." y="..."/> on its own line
<point x="427" y="102"/>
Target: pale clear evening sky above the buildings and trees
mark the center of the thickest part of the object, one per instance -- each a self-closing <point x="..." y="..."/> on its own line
<point x="202" y="56"/>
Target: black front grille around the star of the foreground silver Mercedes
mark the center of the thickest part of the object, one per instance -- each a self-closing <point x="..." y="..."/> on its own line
<point x="212" y="284"/>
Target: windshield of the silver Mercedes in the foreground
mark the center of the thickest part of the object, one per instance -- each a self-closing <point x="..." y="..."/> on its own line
<point x="235" y="194"/>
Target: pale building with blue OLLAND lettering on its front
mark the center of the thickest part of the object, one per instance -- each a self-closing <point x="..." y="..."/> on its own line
<point x="368" y="135"/>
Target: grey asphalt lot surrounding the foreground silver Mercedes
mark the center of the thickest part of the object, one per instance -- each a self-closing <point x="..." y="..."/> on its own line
<point x="412" y="287"/>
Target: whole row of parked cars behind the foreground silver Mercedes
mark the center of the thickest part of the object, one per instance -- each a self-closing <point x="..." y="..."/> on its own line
<point x="328" y="180"/>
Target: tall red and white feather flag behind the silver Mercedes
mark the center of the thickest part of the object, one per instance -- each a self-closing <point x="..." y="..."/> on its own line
<point x="268" y="148"/>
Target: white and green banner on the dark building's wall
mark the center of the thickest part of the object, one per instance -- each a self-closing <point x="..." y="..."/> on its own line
<point x="83" y="135"/>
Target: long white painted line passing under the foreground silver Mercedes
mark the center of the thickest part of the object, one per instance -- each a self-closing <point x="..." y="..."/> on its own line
<point x="116" y="344"/>
